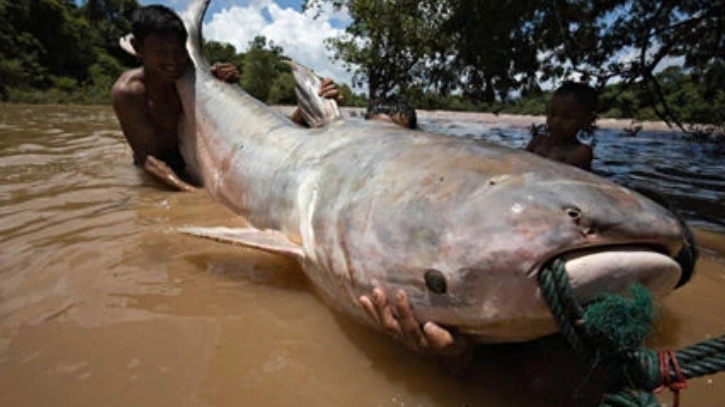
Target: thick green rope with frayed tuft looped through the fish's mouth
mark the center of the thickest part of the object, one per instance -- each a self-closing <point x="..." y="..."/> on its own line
<point x="610" y="333"/>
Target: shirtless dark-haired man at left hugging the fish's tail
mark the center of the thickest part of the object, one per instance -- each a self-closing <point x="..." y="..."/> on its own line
<point x="145" y="99"/>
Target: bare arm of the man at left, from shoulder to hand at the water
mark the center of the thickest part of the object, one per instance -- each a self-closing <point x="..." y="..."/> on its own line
<point x="129" y="103"/>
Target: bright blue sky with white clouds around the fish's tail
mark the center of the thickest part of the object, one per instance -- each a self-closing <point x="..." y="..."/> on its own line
<point x="301" y="36"/>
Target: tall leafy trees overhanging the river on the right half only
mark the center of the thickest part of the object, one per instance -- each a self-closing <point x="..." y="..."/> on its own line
<point x="494" y="51"/>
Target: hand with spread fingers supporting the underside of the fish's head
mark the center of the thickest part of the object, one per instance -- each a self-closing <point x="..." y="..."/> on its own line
<point x="429" y="338"/>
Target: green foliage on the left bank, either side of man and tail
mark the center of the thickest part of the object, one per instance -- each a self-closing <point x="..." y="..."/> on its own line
<point x="61" y="52"/>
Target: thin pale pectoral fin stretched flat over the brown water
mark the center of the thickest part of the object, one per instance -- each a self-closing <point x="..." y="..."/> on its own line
<point x="268" y="240"/>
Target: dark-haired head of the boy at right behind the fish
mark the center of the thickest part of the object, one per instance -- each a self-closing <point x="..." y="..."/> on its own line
<point x="572" y="108"/>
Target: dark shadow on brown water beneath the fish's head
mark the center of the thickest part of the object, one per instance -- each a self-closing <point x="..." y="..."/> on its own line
<point x="538" y="373"/>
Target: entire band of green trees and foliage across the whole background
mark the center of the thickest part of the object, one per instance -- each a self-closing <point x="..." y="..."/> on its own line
<point x="442" y="54"/>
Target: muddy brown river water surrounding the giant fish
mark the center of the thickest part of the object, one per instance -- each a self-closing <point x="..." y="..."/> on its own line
<point x="103" y="304"/>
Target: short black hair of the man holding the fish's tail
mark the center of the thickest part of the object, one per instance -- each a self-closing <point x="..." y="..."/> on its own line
<point x="157" y="19"/>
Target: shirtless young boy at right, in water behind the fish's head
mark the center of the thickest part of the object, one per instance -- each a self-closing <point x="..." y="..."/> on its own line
<point x="571" y="110"/>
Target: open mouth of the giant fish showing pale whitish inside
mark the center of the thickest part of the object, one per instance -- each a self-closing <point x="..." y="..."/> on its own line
<point x="596" y="272"/>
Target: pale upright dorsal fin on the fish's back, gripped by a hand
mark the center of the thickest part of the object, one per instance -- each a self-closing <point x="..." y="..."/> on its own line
<point x="316" y="110"/>
